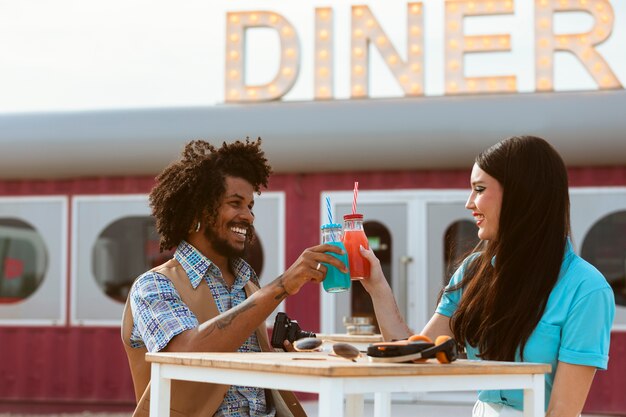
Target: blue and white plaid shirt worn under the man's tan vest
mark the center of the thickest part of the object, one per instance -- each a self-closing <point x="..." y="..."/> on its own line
<point x="160" y="314"/>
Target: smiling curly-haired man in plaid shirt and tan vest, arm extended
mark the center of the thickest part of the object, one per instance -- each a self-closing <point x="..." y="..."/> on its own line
<point x="207" y="299"/>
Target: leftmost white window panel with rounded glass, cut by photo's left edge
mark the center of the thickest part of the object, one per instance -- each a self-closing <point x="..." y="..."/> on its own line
<point x="33" y="258"/>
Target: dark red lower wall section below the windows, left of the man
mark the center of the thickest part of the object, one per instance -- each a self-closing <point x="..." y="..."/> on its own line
<point x="61" y="369"/>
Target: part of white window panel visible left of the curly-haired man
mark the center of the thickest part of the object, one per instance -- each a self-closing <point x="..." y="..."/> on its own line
<point x="113" y="242"/>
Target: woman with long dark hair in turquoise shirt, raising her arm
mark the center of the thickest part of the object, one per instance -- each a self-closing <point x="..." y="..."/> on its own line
<point x="522" y="294"/>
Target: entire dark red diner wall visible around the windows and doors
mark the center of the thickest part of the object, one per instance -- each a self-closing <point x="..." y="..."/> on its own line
<point x="63" y="369"/>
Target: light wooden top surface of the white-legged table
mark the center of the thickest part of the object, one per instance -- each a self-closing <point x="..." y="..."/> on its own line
<point x="328" y="365"/>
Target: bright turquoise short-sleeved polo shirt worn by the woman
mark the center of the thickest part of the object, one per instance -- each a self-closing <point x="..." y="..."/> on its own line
<point x="575" y="327"/>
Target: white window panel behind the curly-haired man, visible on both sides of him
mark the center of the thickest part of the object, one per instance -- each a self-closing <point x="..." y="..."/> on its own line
<point x="114" y="241"/>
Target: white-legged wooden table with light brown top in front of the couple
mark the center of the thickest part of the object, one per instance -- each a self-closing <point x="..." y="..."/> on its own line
<point x="335" y="378"/>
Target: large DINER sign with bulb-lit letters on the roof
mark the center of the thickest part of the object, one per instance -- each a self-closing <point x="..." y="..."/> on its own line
<point x="476" y="47"/>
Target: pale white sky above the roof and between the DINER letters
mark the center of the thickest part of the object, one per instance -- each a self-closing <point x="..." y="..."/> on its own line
<point x="94" y="54"/>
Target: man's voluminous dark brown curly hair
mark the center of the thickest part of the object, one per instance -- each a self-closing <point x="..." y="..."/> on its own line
<point x="191" y="188"/>
